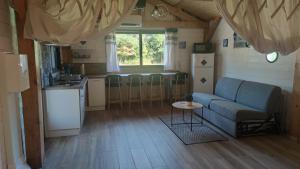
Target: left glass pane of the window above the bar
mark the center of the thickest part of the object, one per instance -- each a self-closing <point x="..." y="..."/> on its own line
<point x="128" y="49"/>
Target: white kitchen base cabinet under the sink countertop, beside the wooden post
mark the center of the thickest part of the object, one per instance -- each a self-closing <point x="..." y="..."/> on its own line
<point x="64" y="110"/>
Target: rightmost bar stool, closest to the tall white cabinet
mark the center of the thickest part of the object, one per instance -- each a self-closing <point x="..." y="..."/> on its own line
<point x="179" y="82"/>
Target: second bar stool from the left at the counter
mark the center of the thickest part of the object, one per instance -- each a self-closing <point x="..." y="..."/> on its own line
<point x="135" y="82"/>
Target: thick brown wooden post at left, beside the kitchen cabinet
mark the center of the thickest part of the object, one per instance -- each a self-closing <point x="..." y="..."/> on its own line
<point x="31" y="97"/>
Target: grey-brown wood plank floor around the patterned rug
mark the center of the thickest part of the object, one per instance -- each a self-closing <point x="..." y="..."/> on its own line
<point x="137" y="139"/>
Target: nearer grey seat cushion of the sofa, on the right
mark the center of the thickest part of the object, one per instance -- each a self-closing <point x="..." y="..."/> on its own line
<point x="236" y="112"/>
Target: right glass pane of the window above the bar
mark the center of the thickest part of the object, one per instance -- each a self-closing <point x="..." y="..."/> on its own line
<point x="153" y="49"/>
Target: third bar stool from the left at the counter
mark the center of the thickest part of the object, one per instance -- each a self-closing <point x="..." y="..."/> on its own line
<point x="156" y="80"/>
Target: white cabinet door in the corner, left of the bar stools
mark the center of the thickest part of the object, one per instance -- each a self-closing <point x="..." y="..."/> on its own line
<point x="96" y="91"/>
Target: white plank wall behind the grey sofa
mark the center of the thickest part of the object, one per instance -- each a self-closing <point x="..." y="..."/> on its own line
<point x="248" y="64"/>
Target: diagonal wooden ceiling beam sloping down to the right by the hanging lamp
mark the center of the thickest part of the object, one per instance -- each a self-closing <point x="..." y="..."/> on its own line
<point x="178" y="12"/>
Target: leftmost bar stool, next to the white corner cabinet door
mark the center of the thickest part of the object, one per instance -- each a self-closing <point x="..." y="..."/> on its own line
<point x="114" y="81"/>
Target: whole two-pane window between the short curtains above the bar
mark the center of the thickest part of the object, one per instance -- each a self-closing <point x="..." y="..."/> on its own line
<point x="140" y="48"/>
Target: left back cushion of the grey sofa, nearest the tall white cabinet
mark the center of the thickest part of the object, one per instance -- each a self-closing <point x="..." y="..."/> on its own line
<point x="228" y="88"/>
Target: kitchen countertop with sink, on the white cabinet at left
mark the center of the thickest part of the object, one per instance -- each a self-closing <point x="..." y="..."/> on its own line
<point x="72" y="85"/>
